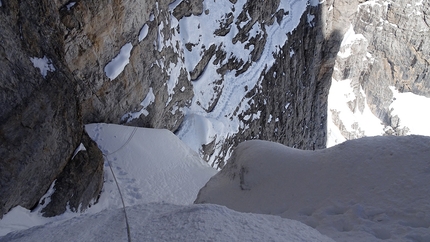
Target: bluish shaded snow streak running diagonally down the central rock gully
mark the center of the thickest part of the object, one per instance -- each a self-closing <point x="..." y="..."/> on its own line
<point x="223" y="119"/>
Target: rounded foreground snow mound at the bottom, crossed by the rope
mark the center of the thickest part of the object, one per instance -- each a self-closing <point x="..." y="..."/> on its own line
<point x="167" y="222"/>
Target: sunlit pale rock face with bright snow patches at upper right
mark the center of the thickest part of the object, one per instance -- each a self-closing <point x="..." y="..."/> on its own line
<point x="384" y="49"/>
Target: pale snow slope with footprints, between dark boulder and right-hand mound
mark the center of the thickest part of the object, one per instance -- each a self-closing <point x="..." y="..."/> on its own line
<point x="150" y="165"/>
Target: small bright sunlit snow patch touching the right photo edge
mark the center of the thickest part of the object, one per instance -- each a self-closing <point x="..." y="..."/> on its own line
<point x="409" y="108"/>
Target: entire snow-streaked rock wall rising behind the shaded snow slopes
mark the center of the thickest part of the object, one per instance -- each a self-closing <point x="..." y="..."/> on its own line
<point x="214" y="72"/>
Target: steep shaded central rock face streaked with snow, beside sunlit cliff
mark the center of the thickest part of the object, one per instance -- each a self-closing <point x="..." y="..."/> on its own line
<point x="277" y="92"/>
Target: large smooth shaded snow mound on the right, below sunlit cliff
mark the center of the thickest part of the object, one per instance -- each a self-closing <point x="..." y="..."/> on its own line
<point x="368" y="189"/>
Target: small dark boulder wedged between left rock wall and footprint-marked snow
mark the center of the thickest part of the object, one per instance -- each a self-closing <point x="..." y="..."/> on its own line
<point x="80" y="182"/>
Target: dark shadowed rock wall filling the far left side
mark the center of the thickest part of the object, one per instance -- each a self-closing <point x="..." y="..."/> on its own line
<point x="41" y="122"/>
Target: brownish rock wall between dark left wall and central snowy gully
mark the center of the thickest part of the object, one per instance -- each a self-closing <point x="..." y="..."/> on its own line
<point x="94" y="34"/>
